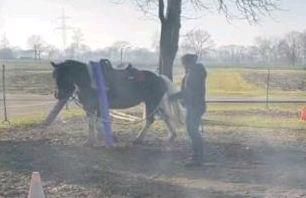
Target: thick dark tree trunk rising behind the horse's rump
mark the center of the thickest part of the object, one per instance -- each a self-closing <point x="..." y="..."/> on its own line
<point x="169" y="37"/>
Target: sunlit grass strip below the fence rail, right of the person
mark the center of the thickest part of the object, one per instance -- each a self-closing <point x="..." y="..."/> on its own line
<point x="257" y="115"/>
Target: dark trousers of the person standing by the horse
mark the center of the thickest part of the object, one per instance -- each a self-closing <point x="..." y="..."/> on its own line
<point x="193" y="120"/>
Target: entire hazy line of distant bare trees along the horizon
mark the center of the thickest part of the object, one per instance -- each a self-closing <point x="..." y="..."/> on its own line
<point x="289" y="50"/>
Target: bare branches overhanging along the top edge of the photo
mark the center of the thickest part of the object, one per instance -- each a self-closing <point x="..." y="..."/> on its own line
<point x="249" y="10"/>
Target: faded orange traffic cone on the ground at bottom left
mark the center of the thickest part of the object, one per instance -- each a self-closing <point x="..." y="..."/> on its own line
<point x="36" y="190"/>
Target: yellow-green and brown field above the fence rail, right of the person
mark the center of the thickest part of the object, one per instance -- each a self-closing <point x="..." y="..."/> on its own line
<point x="237" y="83"/>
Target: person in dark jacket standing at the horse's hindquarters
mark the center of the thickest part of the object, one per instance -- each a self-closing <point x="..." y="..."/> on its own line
<point x="192" y="93"/>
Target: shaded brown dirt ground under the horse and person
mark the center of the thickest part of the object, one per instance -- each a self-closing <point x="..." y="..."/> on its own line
<point x="239" y="162"/>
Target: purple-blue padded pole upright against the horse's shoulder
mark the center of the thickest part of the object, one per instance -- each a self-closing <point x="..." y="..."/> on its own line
<point x="98" y="77"/>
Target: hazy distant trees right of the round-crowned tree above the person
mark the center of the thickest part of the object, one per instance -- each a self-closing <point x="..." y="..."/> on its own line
<point x="289" y="50"/>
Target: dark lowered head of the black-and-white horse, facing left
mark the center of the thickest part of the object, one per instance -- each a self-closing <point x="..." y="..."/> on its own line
<point x="64" y="81"/>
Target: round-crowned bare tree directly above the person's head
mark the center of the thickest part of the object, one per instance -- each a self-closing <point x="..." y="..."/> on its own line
<point x="198" y="41"/>
